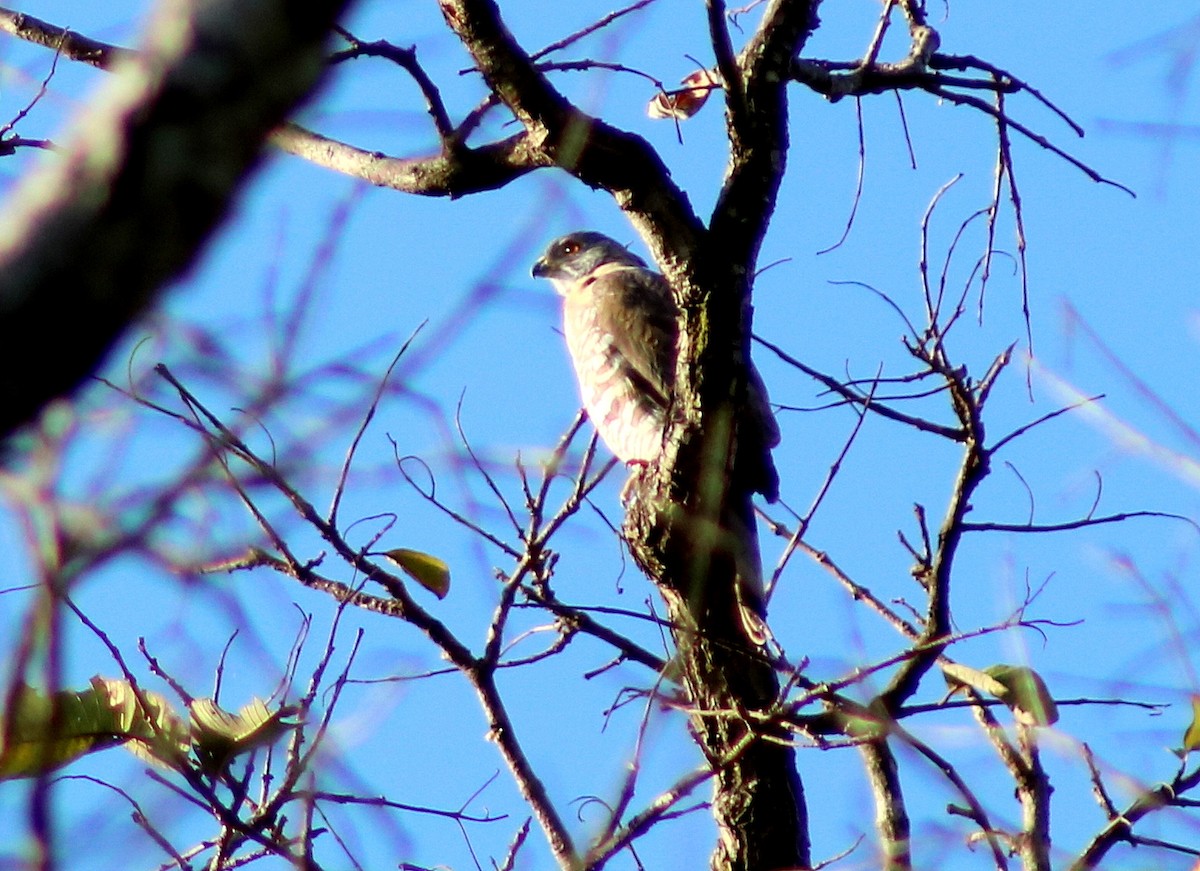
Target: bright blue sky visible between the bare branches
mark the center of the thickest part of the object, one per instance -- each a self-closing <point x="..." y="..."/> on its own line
<point x="1125" y="267"/>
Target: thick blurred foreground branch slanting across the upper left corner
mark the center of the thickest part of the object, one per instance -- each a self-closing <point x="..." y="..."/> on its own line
<point x="88" y="243"/>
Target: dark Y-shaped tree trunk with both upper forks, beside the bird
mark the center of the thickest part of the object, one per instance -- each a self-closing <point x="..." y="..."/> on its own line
<point x="682" y="510"/>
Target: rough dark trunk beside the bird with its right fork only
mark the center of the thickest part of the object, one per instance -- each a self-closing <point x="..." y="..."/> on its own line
<point x="699" y="495"/>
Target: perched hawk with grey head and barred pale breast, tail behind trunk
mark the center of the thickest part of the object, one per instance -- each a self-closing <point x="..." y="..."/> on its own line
<point x="621" y="323"/>
